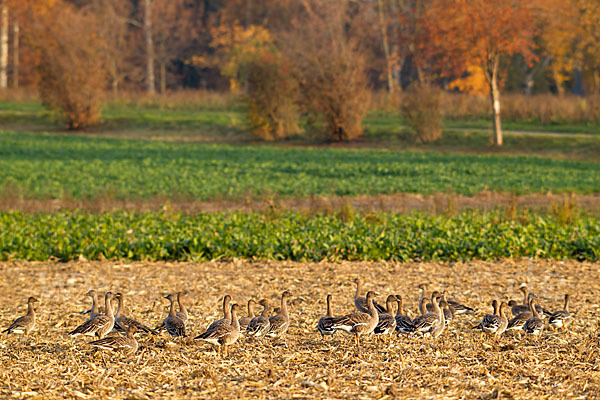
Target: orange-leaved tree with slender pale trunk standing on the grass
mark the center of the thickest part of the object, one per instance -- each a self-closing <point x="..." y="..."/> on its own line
<point x="480" y="32"/>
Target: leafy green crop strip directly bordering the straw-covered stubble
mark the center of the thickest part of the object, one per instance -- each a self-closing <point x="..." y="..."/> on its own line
<point x="294" y="236"/>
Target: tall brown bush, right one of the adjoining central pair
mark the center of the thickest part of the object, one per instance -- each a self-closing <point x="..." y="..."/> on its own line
<point x="331" y="68"/>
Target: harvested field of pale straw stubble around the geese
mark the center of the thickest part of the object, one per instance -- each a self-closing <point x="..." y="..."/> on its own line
<point x="457" y="365"/>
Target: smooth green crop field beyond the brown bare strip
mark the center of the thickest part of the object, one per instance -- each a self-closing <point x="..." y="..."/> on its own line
<point x="58" y="166"/>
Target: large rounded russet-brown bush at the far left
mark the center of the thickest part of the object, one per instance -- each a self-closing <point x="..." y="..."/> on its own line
<point x="72" y="77"/>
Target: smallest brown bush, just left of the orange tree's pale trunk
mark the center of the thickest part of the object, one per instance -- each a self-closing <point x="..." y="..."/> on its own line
<point x="421" y="108"/>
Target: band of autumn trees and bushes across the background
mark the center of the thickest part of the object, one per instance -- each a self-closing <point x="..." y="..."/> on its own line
<point x="297" y="57"/>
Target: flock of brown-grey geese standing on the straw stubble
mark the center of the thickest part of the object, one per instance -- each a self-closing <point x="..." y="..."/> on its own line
<point x="115" y="330"/>
